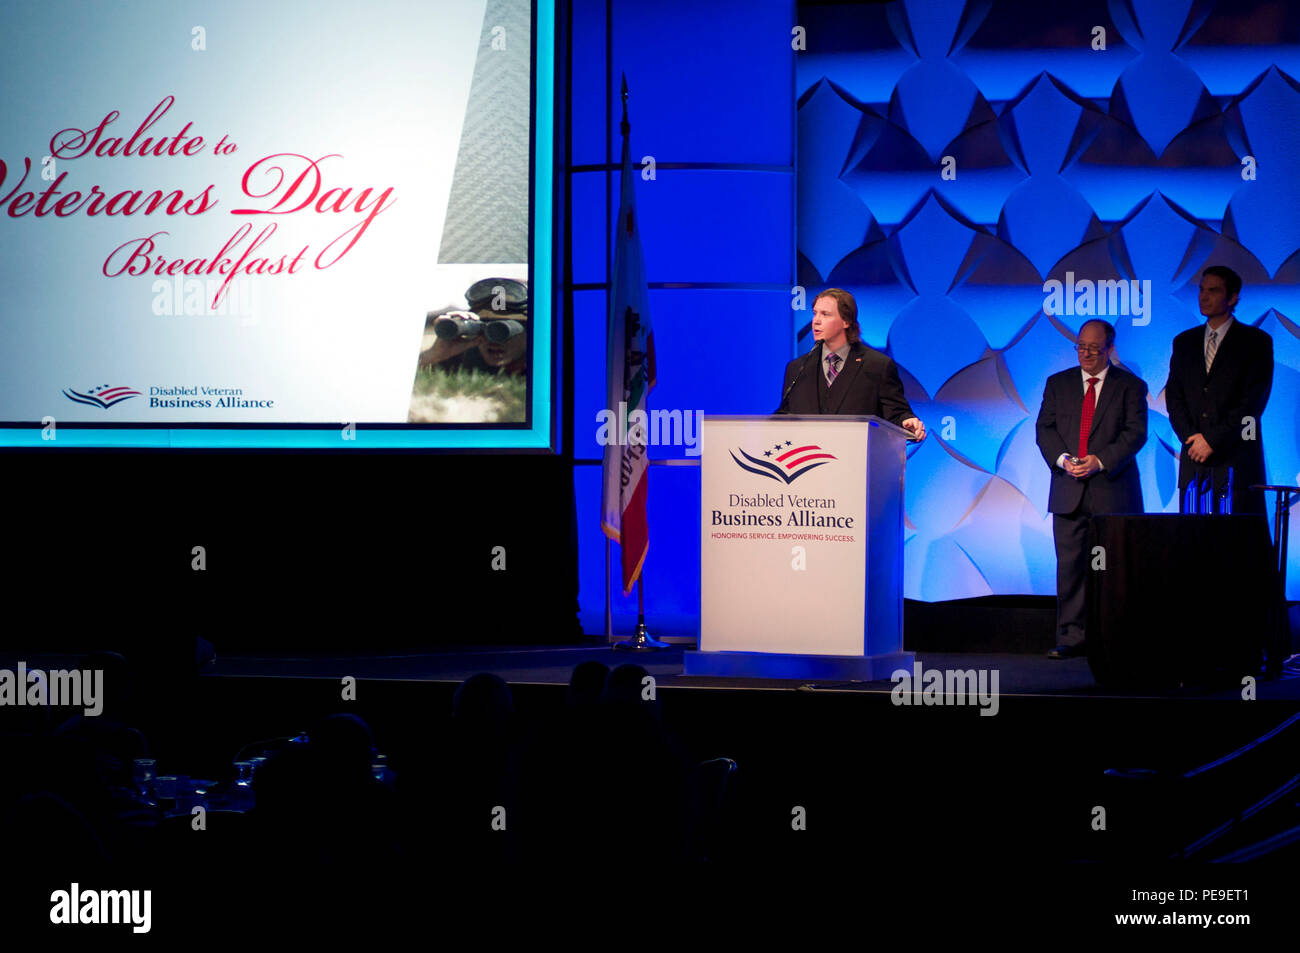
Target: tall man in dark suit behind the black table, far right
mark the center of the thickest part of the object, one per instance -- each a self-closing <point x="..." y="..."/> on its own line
<point x="1220" y="376"/>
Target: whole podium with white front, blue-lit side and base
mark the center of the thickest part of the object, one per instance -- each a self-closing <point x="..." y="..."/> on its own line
<point x="801" y="548"/>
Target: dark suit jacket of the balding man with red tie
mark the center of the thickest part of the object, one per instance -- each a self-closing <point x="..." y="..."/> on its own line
<point x="1117" y="434"/>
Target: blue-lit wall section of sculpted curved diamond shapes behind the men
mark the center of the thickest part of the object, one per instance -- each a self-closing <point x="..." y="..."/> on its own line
<point x="1173" y="148"/>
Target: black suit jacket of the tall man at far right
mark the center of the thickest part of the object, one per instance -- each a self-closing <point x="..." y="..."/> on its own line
<point x="1214" y="405"/>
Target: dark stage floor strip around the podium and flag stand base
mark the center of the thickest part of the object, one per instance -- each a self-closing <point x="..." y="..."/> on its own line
<point x="1019" y="674"/>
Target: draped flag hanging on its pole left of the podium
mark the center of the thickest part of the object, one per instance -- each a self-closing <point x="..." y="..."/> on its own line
<point x="631" y="375"/>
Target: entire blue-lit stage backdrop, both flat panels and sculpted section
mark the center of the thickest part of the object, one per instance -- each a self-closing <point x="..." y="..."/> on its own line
<point x="1112" y="164"/>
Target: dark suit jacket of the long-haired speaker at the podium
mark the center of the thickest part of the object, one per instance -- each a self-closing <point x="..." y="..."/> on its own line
<point x="868" y="384"/>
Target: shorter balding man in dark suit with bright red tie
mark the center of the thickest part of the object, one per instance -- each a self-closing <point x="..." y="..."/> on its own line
<point x="1091" y="426"/>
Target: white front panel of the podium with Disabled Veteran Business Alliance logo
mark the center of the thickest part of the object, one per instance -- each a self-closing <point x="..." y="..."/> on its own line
<point x="783" y="535"/>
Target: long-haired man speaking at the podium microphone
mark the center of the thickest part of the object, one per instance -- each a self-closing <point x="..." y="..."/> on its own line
<point x="844" y="376"/>
